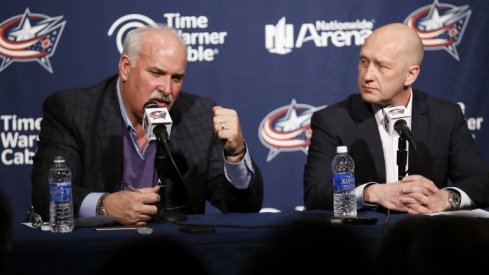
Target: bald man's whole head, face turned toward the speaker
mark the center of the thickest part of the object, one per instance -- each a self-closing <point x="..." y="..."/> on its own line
<point x="389" y="64"/>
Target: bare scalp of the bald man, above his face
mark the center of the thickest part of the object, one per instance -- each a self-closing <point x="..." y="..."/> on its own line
<point x="402" y="39"/>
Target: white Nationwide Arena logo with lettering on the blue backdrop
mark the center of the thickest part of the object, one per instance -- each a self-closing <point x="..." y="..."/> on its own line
<point x="279" y="38"/>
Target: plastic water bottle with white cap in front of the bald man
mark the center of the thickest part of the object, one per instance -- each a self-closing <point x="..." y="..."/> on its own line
<point x="344" y="201"/>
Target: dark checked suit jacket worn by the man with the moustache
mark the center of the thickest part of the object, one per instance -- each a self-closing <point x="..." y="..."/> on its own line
<point x="85" y="126"/>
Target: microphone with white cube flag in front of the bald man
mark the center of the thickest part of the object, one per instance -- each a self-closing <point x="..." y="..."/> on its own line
<point x="396" y="123"/>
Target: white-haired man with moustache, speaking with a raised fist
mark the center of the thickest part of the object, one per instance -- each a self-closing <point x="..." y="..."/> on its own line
<point x="99" y="131"/>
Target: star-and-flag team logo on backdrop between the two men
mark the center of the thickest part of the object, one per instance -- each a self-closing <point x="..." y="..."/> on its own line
<point x="287" y="129"/>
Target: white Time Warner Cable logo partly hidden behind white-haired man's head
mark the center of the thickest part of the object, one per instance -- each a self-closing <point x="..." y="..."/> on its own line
<point x="201" y="45"/>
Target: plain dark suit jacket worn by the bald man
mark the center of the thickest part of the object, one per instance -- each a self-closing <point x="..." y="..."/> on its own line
<point x="445" y="148"/>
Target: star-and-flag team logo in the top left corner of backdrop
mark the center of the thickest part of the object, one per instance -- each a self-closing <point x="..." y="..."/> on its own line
<point x="30" y="37"/>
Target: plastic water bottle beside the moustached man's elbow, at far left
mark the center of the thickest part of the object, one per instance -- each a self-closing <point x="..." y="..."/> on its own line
<point x="60" y="202"/>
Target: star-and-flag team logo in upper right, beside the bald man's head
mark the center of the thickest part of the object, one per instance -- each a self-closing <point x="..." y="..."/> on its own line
<point x="440" y="26"/>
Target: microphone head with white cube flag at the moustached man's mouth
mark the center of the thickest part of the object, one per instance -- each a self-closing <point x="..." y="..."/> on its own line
<point x="156" y="121"/>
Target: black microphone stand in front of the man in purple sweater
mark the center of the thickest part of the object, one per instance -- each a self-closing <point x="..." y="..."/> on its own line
<point x="163" y="168"/>
